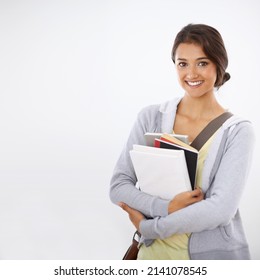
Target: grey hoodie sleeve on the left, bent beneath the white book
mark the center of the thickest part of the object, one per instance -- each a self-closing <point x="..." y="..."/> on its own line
<point x="123" y="182"/>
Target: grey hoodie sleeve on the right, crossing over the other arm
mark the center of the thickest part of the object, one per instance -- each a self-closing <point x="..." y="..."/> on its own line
<point x="222" y="198"/>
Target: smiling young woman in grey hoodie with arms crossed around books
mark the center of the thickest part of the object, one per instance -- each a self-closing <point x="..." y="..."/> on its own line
<point x="204" y="223"/>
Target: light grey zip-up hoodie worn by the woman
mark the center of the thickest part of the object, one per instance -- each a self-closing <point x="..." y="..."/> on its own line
<point x="215" y="224"/>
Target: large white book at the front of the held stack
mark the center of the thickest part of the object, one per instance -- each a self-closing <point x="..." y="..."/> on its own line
<point x="160" y="172"/>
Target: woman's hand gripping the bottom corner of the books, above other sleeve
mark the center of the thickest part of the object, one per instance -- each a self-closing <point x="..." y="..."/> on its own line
<point x="185" y="199"/>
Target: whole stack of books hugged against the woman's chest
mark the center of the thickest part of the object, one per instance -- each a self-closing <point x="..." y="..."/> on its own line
<point x="166" y="166"/>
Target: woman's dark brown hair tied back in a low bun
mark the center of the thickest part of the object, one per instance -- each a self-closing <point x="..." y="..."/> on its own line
<point x="212" y="44"/>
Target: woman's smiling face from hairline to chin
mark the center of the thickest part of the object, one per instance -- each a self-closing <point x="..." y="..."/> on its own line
<point x="197" y="74"/>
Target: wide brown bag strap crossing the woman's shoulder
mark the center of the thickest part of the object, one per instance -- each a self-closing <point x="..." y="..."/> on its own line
<point x="209" y="130"/>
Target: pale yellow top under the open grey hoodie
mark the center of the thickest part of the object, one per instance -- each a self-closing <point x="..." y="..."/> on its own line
<point x="174" y="247"/>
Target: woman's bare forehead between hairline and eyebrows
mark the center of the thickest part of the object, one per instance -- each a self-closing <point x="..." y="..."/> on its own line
<point x="189" y="51"/>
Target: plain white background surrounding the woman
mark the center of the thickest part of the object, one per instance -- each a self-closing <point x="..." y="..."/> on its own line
<point x="73" y="76"/>
